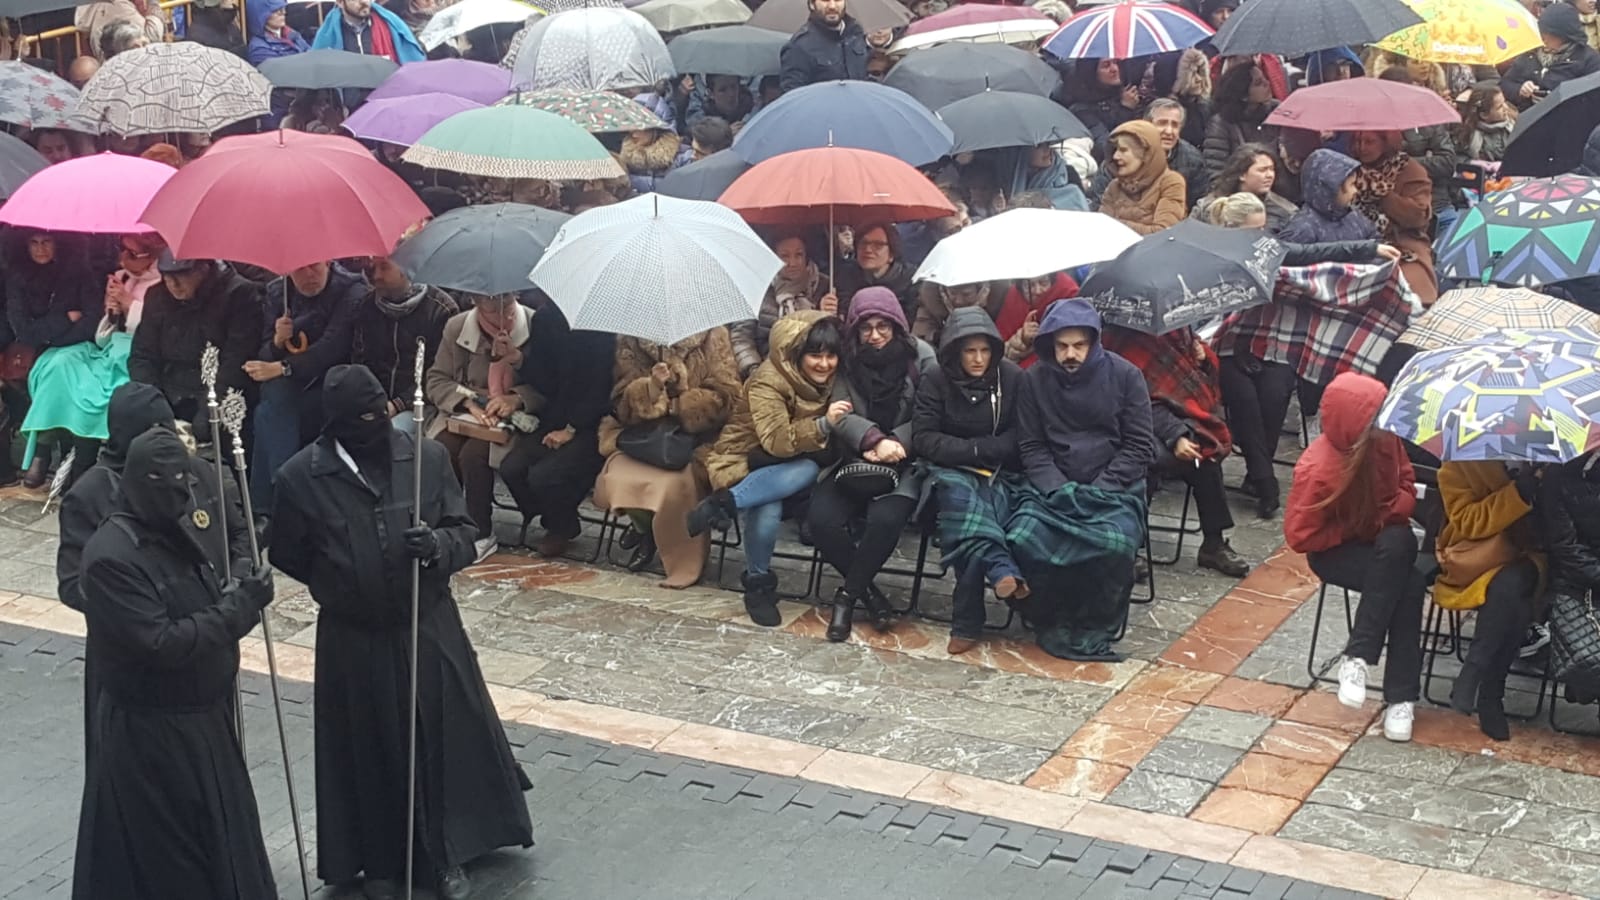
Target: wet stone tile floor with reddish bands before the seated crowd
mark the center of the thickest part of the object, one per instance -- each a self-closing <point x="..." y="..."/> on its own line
<point x="1212" y="720"/>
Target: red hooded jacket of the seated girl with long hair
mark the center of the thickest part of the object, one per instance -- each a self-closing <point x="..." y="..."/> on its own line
<point x="1348" y="409"/>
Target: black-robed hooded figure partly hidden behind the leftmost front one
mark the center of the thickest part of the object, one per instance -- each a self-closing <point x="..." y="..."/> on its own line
<point x="137" y="408"/>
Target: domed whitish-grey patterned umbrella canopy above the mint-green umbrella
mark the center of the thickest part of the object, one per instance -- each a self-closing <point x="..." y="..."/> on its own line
<point x="599" y="50"/>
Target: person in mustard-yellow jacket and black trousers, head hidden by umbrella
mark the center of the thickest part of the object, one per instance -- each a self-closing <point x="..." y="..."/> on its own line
<point x="1487" y="565"/>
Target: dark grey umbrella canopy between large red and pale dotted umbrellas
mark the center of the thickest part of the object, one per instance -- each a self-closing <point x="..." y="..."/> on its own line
<point x="481" y="249"/>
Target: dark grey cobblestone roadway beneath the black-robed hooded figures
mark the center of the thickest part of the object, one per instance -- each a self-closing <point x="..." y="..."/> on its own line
<point x="615" y="822"/>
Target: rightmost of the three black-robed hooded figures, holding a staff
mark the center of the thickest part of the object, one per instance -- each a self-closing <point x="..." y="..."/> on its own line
<point x="343" y="526"/>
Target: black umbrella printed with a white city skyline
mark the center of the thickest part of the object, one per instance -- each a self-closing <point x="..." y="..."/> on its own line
<point x="1185" y="276"/>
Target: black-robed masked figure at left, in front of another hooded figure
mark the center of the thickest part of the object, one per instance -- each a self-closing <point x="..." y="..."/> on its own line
<point x="167" y="802"/>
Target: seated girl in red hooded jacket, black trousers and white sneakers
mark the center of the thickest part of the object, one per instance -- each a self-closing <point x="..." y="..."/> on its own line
<point x="1350" y="513"/>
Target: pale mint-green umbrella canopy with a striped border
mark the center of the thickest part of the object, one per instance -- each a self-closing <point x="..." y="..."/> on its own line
<point x="514" y="142"/>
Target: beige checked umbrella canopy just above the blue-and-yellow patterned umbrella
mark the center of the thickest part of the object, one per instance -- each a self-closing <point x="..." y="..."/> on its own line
<point x="1470" y="315"/>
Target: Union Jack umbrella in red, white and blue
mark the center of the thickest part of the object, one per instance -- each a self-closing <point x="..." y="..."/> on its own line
<point x="1127" y="30"/>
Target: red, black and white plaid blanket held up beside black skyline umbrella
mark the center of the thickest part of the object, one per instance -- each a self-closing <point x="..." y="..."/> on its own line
<point x="1324" y="319"/>
